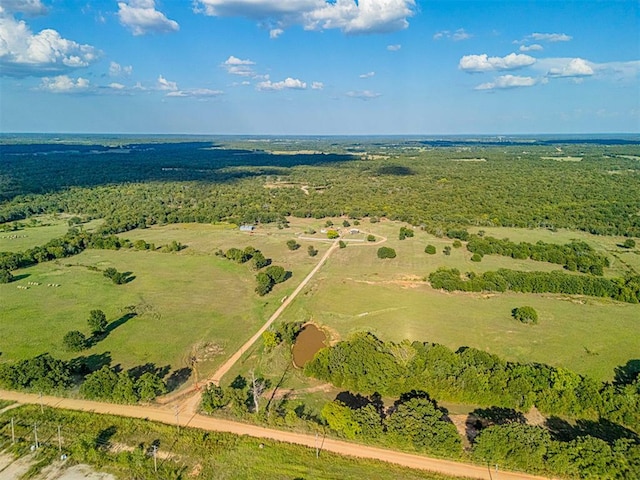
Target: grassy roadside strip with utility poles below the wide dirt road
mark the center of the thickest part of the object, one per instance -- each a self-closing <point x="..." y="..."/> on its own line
<point x="97" y="439"/>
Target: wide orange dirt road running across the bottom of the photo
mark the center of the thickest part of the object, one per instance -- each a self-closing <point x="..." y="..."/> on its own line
<point x="167" y="415"/>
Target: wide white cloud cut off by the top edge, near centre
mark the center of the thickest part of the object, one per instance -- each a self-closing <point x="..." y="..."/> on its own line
<point x="350" y="16"/>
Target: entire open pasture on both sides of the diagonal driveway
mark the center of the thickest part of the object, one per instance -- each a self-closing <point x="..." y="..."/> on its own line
<point x="194" y="298"/>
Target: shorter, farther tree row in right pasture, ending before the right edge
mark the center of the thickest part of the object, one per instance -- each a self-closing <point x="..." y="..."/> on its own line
<point x="573" y="256"/>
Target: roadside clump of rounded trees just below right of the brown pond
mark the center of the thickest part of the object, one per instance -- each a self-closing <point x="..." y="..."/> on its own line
<point x="414" y="422"/>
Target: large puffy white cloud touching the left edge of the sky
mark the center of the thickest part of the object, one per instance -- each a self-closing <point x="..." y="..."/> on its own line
<point x="23" y="53"/>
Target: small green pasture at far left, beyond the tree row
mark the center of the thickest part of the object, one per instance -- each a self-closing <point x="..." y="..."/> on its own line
<point x="42" y="229"/>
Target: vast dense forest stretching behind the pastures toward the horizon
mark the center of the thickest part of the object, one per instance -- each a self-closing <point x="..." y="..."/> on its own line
<point x="186" y="183"/>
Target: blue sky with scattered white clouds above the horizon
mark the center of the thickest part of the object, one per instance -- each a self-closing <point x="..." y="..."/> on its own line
<point x="316" y="67"/>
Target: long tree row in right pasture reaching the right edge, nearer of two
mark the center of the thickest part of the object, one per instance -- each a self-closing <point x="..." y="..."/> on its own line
<point x="623" y="289"/>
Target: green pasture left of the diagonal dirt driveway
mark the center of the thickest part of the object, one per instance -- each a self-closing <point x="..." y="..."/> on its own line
<point x="183" y="299"/>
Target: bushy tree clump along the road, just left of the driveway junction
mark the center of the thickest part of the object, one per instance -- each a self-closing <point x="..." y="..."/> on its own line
<point x="122" y="386"/>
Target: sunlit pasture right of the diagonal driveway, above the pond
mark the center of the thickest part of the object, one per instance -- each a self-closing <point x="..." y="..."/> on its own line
<point x="356" y="291"/>
